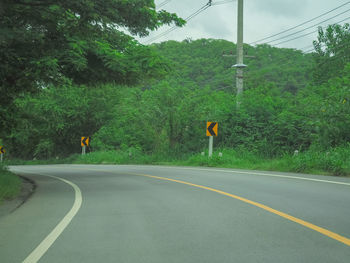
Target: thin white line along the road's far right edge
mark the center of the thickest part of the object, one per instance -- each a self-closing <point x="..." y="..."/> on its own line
<point x="250" y="173"/>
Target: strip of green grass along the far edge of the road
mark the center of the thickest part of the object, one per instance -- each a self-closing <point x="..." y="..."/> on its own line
<point x="336" y="161"/>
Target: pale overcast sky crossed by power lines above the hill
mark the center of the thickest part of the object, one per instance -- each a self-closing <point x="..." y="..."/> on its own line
<point x="262" y="18"/>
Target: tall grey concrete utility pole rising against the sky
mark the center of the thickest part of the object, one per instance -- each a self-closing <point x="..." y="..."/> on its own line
<point x="239" y="66"/>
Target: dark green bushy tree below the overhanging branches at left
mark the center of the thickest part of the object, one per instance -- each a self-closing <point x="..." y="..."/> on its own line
<point x="52" y="122"/>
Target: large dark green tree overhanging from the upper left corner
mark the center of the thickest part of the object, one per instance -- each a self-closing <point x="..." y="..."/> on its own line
<point x="45" y="42"/>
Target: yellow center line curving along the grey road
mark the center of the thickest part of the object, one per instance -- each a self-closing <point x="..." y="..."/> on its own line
<point x="309" y="225"/>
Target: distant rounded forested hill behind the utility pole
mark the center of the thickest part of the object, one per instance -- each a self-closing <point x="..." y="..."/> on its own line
<point x="209" y="62"/>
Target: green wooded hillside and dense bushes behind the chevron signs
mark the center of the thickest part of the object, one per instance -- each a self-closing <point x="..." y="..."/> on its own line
<point x="291" y="102"/>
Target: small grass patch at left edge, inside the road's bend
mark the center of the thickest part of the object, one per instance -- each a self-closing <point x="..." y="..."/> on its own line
<point x="10" y="184"/>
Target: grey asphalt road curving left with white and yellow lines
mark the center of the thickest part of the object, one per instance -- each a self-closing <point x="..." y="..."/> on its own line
<point x="105" y="213"/>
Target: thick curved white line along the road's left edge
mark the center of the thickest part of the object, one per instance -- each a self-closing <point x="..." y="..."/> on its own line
<point x="41" y="249"/>
